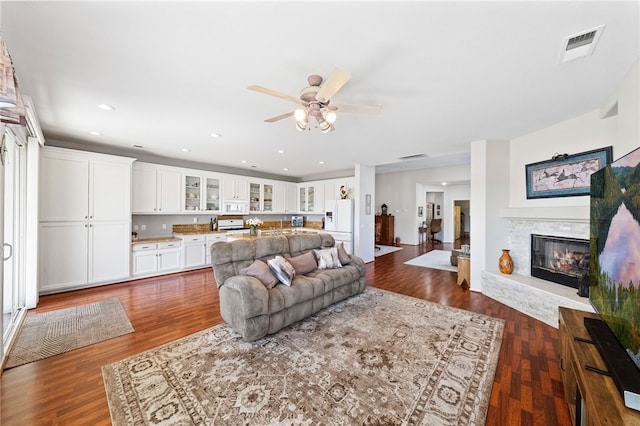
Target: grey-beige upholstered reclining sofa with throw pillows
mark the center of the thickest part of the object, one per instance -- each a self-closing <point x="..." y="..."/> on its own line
<point x="255" y="306"/>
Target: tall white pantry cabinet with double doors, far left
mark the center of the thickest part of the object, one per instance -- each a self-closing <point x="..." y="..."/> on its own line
<point x="85" y="219"/>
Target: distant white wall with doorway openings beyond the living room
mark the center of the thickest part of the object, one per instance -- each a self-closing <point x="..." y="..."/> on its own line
<point x="404" y="191"/>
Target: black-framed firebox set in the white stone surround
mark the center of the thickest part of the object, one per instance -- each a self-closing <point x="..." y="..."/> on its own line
<point x="561" y="260"/>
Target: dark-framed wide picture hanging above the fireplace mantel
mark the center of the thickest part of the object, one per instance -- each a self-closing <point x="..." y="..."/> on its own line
<point x="565" y="175"/>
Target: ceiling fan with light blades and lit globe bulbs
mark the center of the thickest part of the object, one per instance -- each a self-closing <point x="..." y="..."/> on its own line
<point x="314" y="101"/>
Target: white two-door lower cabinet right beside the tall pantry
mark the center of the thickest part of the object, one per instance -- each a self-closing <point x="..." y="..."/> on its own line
<point x="156" y="258"/>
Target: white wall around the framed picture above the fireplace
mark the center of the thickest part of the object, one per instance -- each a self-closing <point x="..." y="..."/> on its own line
<point x="583" y="133"/>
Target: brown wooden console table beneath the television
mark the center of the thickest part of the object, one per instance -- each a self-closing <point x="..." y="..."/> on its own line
<point x="602" y="403"/>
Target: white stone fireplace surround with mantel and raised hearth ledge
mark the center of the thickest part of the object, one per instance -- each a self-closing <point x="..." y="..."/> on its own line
<point x="535" y="297"/>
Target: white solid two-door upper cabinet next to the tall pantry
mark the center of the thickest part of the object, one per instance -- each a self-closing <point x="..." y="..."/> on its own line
<point x="156" y="189"/>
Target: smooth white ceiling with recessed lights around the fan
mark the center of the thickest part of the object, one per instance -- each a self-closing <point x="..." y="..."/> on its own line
<point x="446" y="74"/>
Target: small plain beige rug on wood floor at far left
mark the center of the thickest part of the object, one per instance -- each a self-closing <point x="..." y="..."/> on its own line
<point x="51" y="333"/>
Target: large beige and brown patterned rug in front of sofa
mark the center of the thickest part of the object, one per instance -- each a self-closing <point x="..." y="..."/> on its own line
<point x="378" y="358"/>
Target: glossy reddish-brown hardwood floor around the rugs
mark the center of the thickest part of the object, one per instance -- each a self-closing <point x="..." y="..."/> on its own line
<point x="68" y="388"/>
